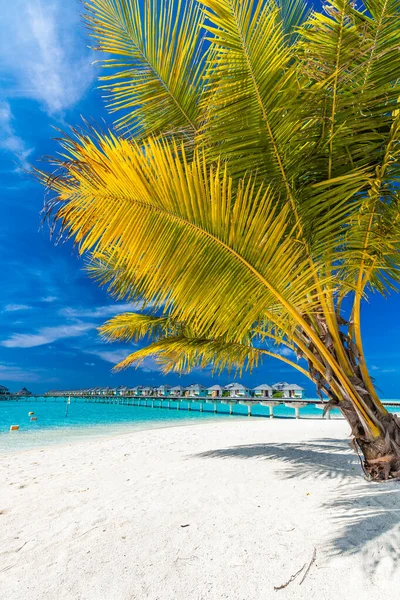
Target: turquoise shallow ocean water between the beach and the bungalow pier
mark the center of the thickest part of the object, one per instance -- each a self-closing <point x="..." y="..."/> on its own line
<point x="59" y="422"/>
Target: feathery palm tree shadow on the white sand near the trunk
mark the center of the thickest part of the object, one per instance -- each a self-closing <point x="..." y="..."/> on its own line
<point x="366" y="516"/>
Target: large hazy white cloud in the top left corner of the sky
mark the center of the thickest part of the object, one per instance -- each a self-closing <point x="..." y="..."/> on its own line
<point x="43" y="53"/>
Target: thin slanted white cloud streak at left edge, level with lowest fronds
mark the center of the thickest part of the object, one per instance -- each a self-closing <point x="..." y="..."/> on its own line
<point x="46" y="335"/>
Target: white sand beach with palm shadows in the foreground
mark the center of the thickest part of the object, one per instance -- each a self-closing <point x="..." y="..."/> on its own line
<point x="223" y="510"/>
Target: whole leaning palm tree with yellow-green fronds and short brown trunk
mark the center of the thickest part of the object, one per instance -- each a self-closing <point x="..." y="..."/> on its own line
<point x="248" y="196"/>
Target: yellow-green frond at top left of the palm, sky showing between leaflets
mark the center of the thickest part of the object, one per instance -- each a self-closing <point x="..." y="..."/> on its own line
<point x="157" y="65"/>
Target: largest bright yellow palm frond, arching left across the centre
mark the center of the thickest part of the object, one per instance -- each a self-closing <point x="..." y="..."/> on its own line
<point x="192" y="242"/>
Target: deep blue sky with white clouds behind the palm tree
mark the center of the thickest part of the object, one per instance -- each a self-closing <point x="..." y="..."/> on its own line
<point x="49" y="309"/>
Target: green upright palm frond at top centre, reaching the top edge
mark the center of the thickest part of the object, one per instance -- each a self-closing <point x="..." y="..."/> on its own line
<point x="252" y="86"/>
